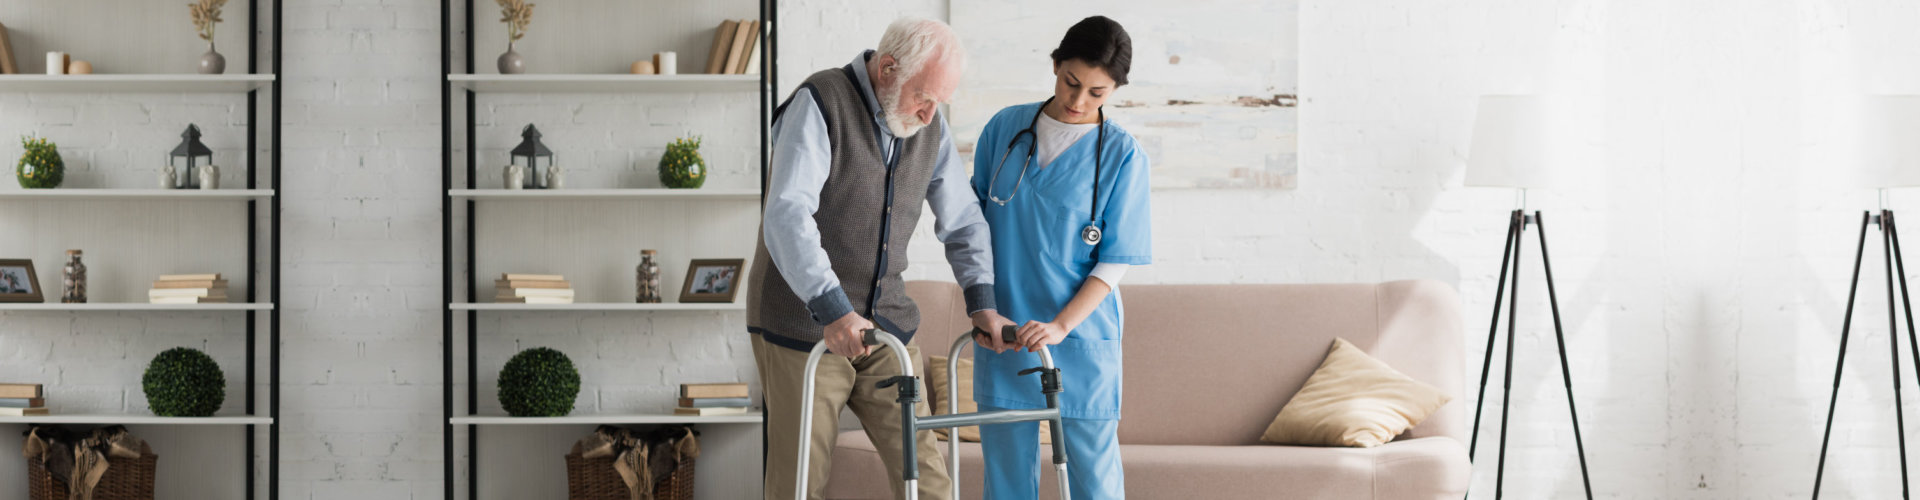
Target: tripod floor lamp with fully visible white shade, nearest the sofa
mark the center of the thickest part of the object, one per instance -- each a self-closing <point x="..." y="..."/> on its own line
<point x="1514" y="143"/>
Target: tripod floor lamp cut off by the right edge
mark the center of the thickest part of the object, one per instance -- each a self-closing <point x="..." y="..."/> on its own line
<point x="1890" y="159"/>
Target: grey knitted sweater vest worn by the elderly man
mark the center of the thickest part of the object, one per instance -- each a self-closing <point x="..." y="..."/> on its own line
<point x="867" y="216"/>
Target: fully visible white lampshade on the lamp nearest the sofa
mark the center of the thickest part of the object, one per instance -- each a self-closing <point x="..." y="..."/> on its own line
<point x="1514" y="143"/>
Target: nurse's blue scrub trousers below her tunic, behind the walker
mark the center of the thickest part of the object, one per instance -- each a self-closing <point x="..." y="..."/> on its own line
<point x="1015" y="459"/>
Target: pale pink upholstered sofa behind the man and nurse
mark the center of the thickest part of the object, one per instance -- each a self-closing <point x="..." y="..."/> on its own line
<point x="1209" y="366"/>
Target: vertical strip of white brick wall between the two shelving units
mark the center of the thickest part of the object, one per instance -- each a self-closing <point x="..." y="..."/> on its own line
<point x="362" y="245"/>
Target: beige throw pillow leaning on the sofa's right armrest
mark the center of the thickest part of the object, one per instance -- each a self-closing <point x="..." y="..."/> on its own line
<point x="1353" y="401"/>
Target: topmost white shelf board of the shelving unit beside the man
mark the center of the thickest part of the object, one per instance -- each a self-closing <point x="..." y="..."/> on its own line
<point x="608" y="84"/>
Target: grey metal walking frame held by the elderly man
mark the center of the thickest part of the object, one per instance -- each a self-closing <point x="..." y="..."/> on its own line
<point x="911" y="424"/>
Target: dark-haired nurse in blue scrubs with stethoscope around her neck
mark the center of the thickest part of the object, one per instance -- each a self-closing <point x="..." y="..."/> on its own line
<point x="1065" y="193"/>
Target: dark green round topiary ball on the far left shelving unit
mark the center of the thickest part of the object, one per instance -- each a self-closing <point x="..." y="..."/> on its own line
<point x="185" y="384"/>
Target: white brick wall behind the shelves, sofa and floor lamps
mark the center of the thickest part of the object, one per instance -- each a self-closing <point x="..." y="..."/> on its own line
<point x="1702" y="266"/>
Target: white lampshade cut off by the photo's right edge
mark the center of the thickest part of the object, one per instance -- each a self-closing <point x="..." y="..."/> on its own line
<point x="1890" y="143"/>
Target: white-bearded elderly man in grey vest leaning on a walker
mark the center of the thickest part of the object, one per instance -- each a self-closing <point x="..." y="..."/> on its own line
<point x="857" y="151"/>
